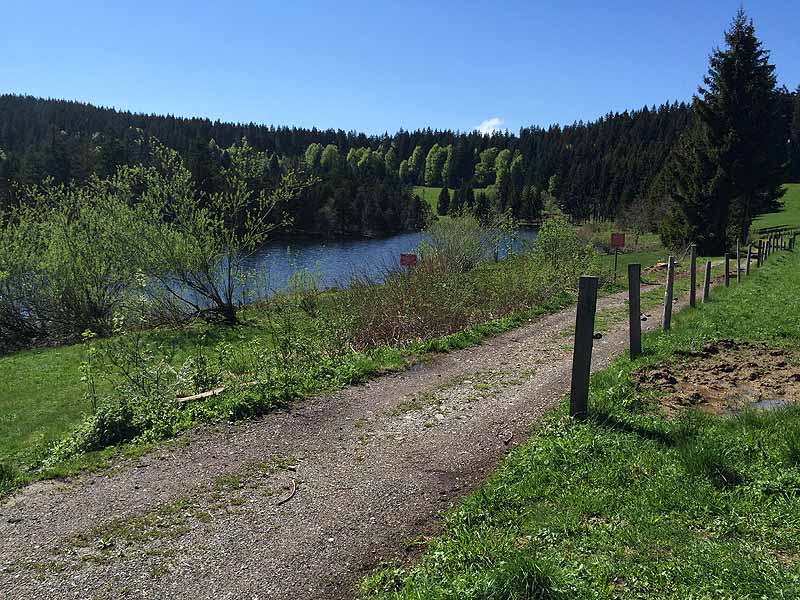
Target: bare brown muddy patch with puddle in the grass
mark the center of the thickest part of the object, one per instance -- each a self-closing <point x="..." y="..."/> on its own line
<point x="724" y="377"/>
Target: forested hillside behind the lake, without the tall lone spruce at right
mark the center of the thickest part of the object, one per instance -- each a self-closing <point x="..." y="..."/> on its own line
<point x="598" y="170"/>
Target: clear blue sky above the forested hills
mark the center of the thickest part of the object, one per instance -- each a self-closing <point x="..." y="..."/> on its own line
<point x="377" y="66"/>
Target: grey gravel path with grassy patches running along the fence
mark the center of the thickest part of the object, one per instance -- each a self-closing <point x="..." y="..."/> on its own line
<point x="371" y="468"/>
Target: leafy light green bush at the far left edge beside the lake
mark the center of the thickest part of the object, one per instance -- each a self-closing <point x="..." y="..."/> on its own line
<point x="64" y="263"/>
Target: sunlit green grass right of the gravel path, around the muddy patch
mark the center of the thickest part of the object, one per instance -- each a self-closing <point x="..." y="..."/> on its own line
<point x="630" y="504"/>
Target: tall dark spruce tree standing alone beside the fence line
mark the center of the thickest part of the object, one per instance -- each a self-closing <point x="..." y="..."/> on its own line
<point x="728" y="166"/>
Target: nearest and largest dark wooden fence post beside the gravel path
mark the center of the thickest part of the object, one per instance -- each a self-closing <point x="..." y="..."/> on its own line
<point x="582" y="352"/>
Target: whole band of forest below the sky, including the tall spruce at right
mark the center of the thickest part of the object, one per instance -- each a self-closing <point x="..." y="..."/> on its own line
<point x="641" y="162"/>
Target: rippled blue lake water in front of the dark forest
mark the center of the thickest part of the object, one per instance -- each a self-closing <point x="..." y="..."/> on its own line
<point x="335" y="262"/>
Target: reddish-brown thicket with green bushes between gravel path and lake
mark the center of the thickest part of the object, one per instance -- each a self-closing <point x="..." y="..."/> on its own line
<point x="453" y="287"/>
